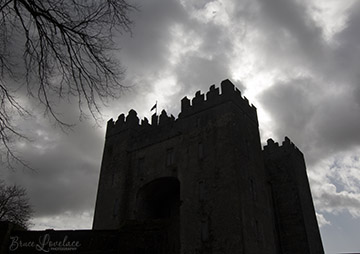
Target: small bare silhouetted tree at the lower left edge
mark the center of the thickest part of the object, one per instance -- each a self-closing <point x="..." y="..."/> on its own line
<point x="14" y="205"/>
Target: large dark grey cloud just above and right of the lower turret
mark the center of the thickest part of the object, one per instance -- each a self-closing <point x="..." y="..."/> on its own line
<point x="320" y="122"/>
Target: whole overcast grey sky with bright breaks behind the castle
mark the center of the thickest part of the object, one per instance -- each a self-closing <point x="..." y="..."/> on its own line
<point x="297" y="61"/>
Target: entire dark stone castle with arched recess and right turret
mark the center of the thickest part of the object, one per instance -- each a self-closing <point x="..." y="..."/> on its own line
<point x="202" y="183"/>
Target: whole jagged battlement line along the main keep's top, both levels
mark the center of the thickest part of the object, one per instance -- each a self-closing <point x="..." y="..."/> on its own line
<point x="199" y="103"/>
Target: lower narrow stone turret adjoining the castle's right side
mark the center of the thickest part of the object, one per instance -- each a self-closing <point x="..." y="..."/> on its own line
<point x="295" y="218"/>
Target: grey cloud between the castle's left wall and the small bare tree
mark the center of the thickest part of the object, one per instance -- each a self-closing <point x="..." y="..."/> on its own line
<point x="67" y="169"/>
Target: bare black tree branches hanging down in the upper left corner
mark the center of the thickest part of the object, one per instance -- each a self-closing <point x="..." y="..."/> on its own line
<point x="58" y="50"/>
